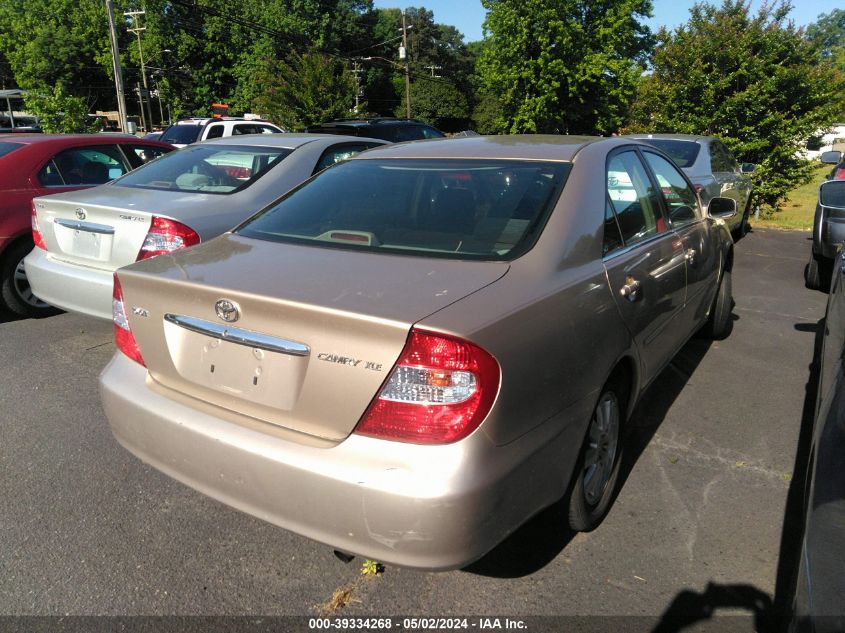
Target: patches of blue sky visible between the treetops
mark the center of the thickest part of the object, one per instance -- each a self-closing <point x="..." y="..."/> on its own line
<point x="467" y="15"/>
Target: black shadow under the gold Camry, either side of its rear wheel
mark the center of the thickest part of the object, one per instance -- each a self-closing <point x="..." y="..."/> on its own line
<point x="540" y="540"/>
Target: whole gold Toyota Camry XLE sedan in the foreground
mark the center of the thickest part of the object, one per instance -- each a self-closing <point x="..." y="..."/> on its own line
<point x="416" y="350"/>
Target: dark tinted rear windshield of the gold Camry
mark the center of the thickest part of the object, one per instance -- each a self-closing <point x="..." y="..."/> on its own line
<point x="460" y="209"/>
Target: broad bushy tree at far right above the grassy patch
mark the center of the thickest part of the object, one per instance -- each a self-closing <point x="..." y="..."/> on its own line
<point x="753" y="80"/>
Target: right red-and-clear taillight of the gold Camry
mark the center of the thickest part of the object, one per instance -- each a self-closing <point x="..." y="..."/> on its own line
<point x="439" y="391"/>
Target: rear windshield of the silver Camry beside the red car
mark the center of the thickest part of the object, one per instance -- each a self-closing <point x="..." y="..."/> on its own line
<point x="218" y="169"/>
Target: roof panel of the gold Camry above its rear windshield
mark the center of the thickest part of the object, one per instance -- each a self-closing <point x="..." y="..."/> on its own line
<point x="519" y="147"/>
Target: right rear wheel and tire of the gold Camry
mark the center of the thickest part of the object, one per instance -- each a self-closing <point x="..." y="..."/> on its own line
<point x="597" y="471"/>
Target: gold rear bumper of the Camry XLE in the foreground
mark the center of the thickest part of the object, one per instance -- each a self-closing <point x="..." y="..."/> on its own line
<point x="416" y="506"/>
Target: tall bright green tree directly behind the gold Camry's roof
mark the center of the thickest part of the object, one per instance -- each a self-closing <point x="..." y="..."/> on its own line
<point x="564" y="65"/>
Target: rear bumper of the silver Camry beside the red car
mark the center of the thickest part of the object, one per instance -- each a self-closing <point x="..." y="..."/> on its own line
<point x="68" y="286"/>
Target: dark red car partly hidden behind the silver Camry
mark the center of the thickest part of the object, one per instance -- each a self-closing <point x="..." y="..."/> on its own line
<point x="40" y="164"/>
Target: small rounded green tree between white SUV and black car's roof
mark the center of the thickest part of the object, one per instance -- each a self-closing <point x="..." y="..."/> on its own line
<point x="305" y="90"/>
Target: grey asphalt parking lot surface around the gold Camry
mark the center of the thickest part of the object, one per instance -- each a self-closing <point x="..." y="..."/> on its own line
<point x="698" y="527"/>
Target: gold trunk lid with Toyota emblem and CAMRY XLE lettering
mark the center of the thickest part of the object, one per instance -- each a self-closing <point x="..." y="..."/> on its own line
<point x="317" y="330"/>
